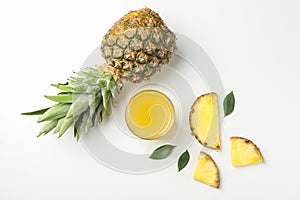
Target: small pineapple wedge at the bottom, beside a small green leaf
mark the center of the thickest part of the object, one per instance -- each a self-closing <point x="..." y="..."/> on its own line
<point x="207" y="171"/>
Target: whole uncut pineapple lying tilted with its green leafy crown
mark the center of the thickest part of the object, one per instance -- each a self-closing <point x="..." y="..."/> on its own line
<point x="134" y="48"/>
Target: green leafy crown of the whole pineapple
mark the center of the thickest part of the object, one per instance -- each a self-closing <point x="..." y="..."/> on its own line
<point x="85" y="98"/>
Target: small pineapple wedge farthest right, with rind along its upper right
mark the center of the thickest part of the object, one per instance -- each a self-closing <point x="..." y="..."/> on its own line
<point x="244" y="152"/>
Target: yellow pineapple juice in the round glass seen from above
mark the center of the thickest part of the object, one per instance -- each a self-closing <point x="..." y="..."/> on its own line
<point x="149" y="114"/>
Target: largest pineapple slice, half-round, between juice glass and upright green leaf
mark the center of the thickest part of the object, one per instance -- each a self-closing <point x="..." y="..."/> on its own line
<point x="204" y="120"/>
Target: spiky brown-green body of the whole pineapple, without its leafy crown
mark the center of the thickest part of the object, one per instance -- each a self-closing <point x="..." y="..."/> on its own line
<point x="138" y="44"/>
